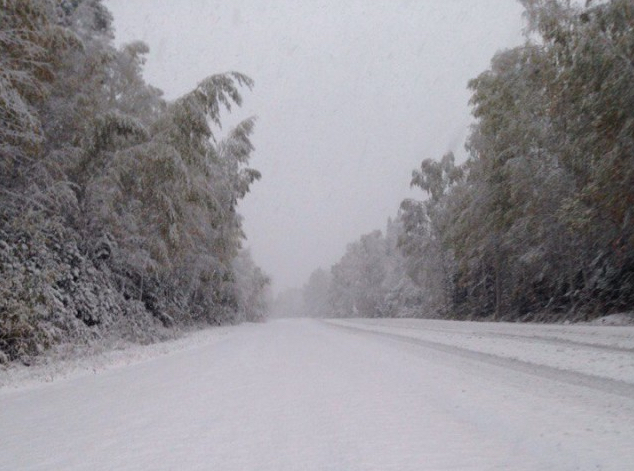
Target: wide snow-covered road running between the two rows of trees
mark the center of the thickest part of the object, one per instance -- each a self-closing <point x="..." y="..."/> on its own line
<point x="343" y="395"/>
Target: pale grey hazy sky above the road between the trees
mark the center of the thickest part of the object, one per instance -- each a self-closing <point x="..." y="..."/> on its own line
<point x="351" y="95"/>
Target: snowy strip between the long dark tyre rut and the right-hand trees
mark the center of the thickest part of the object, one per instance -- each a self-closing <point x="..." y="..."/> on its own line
<point x="605" y="352"/>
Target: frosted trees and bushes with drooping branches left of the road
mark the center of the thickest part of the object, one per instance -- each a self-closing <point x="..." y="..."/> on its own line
<point x="117" y="207"/>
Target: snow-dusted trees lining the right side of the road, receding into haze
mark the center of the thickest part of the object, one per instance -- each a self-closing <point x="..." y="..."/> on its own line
<point x="537" y="224"/>
